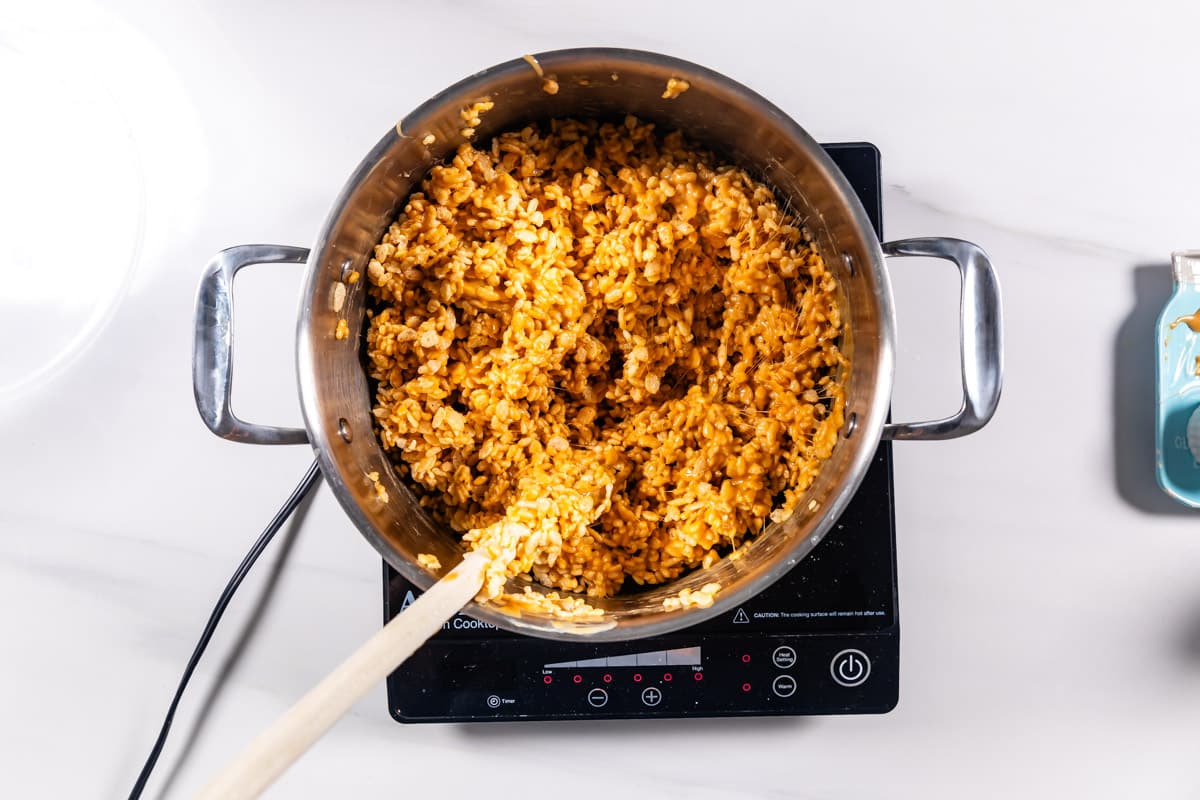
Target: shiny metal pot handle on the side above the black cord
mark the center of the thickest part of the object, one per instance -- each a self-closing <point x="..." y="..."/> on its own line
<point x="213" y="346"/>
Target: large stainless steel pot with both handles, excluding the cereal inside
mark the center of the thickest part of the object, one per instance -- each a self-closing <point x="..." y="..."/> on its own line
<point x="719" y="113"/>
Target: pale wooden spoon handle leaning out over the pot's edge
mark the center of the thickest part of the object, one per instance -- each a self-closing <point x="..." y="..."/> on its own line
<point x="278" y="748"/>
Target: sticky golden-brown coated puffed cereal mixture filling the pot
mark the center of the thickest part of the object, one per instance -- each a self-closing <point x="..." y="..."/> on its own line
<point x="602" y="357"/>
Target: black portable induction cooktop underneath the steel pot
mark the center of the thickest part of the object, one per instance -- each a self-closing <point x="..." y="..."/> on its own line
<point x="824" y="640"/>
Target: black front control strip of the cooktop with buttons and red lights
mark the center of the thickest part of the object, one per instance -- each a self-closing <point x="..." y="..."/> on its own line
<point x="727" y="677"/>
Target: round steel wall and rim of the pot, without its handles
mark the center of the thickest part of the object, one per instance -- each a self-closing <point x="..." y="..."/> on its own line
<point x="725" y="118"/>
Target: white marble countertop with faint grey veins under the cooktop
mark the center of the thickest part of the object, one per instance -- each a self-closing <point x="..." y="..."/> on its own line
<point x="1049" y="596"/>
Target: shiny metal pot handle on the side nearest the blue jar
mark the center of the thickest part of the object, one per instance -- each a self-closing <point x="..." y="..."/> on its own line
<point x="982" y="345"/>
